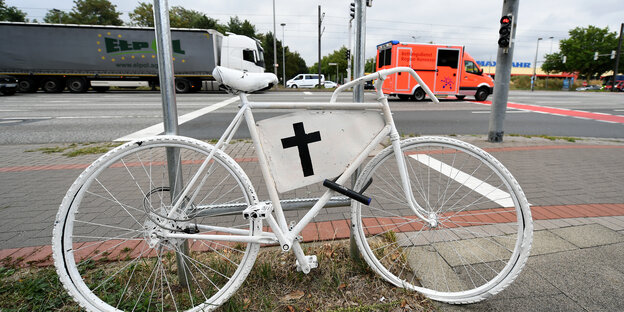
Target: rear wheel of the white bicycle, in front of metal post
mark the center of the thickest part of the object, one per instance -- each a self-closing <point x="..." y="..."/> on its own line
<point x="110" y="246"/>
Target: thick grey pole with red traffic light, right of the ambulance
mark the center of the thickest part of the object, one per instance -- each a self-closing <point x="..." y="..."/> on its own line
<point x="503" y="74"/>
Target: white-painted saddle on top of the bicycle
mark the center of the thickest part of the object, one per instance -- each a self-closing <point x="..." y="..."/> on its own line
<point x="236" y="81"/>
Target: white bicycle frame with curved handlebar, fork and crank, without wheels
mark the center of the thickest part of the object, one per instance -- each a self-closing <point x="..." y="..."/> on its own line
<point x="281" y="233"/>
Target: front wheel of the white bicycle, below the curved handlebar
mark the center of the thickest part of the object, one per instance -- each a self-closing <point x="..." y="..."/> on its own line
<point x="480" y="229"/>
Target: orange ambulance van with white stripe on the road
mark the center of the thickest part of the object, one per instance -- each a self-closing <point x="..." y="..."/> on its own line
<point x="446" y="69"/>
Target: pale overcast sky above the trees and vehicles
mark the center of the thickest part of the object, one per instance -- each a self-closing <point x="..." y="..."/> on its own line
<point x="471" y="23"/>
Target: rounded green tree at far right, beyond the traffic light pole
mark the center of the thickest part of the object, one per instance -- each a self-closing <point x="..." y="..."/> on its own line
<point x="579" y="50"/>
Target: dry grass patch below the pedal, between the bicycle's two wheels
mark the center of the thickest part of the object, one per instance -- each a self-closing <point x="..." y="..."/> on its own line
<point x="338" y="284"/>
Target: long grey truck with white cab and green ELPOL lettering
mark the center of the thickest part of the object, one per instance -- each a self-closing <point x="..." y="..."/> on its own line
<point x="58" y="56"/>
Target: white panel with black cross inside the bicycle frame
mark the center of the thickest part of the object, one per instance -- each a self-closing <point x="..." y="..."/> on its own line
<point x="307" y="147"/>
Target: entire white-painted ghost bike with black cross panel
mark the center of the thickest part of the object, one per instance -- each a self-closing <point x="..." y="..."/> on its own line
<point x="430" y="214"/>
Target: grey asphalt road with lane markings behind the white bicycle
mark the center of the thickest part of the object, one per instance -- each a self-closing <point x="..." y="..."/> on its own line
<point x="89" y="117"/>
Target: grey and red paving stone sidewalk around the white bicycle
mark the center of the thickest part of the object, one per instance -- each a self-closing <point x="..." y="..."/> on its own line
<point x="575" y="189"/>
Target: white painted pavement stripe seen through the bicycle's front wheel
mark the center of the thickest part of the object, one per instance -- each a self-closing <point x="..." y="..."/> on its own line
<point x="494" y="194"/>
